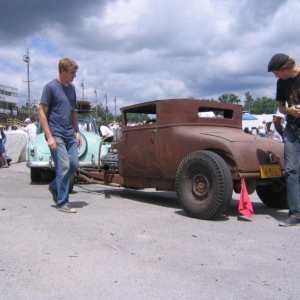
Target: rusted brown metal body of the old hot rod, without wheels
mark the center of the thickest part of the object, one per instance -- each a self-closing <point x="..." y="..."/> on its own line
<point x="154" y="151"/>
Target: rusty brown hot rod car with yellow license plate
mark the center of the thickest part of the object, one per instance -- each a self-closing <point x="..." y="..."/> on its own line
<point x="196" y="148"/>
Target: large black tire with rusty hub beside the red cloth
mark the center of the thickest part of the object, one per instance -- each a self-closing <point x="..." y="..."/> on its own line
<point x="204" y="185"/>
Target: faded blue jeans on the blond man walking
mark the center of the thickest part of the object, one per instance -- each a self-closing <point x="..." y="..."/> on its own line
<point x="65" y="158"/>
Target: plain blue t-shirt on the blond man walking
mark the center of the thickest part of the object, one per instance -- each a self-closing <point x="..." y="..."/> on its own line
<point x="61" y="101"/>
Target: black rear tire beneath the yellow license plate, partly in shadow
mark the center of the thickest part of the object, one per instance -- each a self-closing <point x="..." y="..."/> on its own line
<point x="273" y="196"/>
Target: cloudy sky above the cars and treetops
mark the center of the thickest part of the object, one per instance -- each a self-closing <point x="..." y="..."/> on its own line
<point x="142" y="50"/>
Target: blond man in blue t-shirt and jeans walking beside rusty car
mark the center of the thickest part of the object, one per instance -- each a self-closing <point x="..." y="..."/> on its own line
<point x="57" y="114"/>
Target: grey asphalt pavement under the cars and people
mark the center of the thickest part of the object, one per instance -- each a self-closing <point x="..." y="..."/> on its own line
<point x="134" y="244"/>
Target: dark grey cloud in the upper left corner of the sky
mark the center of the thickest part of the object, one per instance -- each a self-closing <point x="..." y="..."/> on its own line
<point x="25" y="18"/>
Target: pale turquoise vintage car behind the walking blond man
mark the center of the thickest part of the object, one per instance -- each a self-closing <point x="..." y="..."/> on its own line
<point x="39" y="158"/>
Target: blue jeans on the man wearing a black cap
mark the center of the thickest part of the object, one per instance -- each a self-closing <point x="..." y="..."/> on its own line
<point x="291" y="159"/>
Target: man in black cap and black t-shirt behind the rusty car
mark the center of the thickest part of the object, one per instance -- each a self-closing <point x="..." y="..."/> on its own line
<point x="288" y="92"/>
